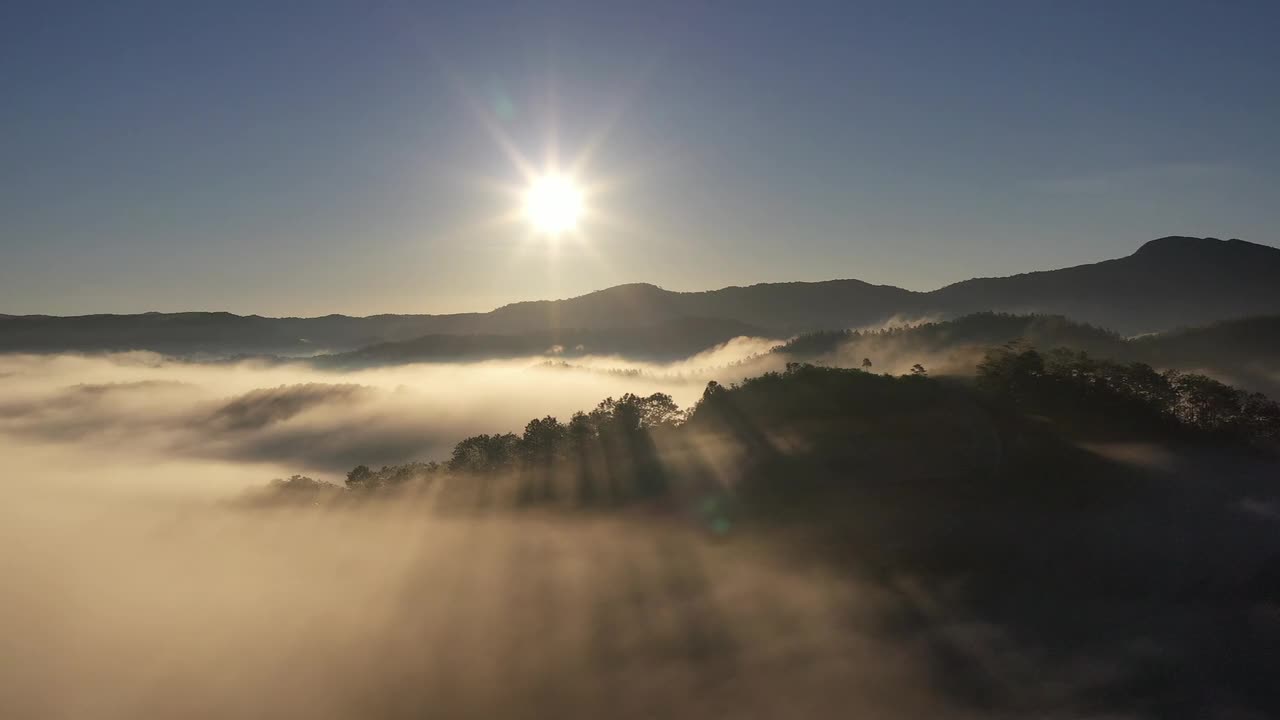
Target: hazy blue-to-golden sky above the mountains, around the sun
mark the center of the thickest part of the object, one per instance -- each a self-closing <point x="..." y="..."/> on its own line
<point x="312" y="158"/>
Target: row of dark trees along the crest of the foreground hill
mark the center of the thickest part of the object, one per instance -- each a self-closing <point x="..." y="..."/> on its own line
<point x="611" y="453"/>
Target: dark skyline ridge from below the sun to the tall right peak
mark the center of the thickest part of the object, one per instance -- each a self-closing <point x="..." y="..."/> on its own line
<point x="1168" y="282"/>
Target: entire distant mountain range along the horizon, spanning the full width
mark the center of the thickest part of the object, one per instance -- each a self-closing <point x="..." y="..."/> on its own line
<point x="1169" y="282"/>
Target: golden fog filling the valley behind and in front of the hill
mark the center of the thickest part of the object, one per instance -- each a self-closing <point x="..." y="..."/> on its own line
<point x="132" y="591"/>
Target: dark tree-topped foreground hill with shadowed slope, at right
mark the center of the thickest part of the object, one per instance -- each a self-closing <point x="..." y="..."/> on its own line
<point x="1064" y="537"/>
